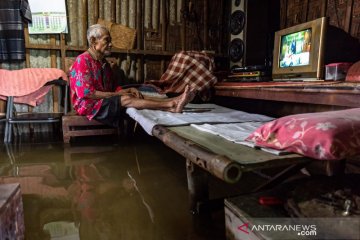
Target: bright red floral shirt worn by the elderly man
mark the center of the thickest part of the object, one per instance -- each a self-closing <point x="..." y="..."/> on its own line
<point x="86" y="76"/>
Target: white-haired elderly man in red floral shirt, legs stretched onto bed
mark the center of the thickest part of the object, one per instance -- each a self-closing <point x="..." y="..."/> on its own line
<point x="92" y="89"/>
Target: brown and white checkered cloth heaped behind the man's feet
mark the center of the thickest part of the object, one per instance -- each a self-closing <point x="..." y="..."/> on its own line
<point x="188" y="68"/>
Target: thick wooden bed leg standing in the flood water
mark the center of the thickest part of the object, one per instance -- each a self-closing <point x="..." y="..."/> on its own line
<point x="197" y="186"/>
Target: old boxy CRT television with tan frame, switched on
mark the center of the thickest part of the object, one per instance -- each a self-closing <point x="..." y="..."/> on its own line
<point x="299" y="52"/>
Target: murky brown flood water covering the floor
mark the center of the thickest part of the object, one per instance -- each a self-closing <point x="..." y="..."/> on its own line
<point x="100" y="188"/>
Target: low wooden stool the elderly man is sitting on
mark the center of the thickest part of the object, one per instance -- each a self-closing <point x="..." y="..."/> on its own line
<point x="74" y="125"/>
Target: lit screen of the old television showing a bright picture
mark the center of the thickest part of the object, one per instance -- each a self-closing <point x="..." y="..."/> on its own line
<point x="295" y="49"/>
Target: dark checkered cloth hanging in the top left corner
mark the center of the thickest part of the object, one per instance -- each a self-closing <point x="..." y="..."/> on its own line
<point x="12" y="15"/>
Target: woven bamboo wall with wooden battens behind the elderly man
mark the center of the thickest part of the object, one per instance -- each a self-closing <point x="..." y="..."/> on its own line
<point x="161" y="31"/>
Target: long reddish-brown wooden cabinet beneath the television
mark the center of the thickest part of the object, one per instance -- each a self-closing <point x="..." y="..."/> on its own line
<point x="311" y="96"/>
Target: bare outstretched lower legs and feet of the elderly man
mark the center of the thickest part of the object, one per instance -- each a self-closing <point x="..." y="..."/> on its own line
<point x="172" y="104"/>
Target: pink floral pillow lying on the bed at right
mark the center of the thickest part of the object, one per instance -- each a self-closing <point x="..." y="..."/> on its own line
<point x="330" y="135"/>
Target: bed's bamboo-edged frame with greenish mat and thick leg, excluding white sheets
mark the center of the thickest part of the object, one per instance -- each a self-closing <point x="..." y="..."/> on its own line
<point x="210" y="154"/>
